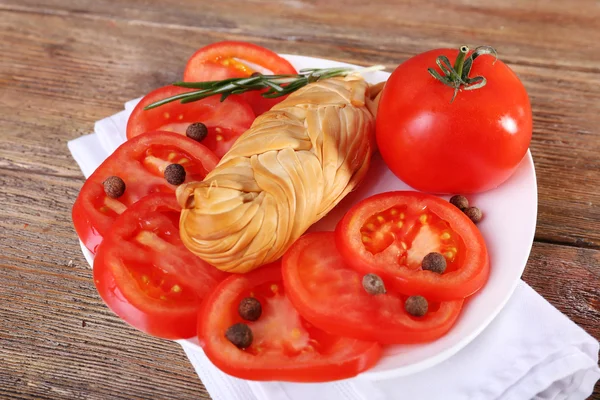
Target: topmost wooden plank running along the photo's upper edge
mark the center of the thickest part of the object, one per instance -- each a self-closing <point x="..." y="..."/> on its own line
<point x="542" y="32"/>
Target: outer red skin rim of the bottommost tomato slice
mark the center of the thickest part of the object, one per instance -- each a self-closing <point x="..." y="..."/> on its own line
<point x="367" y="355"/>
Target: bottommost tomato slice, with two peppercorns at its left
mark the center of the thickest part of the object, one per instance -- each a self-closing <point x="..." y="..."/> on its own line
<point x="285" y="347"/>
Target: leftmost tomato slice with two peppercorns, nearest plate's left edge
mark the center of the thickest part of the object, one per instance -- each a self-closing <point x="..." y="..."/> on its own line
<point x="140" y="162"/>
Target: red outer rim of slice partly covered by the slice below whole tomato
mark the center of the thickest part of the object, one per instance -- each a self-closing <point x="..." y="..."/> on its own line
<point x="372" y="327"/>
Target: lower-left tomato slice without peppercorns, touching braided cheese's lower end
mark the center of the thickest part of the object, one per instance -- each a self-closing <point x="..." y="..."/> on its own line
<point x="146" y="275"/>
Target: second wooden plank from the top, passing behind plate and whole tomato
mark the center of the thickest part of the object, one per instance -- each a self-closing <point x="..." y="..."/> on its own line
<point x="41" y="108"/>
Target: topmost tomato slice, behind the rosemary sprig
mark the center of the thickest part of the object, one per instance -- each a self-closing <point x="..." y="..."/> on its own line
<point x="224" y="60"/>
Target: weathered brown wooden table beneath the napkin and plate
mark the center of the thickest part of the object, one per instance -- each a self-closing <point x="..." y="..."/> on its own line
<point x="67" y="63"/>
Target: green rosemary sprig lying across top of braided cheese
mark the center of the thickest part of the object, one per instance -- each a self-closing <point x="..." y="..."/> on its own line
<point x="277" y="85"/>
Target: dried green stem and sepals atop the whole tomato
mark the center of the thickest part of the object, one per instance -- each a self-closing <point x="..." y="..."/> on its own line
<point x="457" y="76"/>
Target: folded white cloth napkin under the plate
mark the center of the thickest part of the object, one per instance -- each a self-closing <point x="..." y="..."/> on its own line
<point x="530" y="351"/>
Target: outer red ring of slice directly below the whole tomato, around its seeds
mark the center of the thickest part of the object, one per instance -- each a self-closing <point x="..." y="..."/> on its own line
<point x="450" y="286"/>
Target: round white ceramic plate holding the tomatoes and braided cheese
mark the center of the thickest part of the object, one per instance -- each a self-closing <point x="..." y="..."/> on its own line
<point x="508" y="228"/>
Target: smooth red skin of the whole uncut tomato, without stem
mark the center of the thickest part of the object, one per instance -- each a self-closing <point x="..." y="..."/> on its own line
<point x="470" y="145"/>
